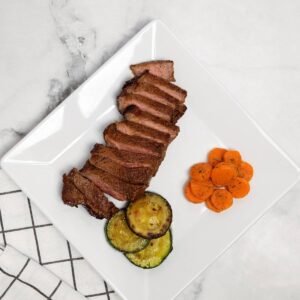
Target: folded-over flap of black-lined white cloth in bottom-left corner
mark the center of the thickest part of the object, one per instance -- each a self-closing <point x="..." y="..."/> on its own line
<point x="22" y="278"/>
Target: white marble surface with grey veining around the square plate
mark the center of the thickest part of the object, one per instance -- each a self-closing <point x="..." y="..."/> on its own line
<point x="252" y="46"/>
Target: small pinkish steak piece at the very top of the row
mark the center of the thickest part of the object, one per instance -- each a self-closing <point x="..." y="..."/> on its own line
<point x="160" y="68"/>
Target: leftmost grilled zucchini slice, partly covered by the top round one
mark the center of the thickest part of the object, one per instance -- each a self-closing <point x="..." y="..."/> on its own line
<point x="121" y="237"/>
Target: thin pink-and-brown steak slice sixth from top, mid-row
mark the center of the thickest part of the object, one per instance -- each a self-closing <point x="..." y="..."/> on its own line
<point x="135" y="129"/>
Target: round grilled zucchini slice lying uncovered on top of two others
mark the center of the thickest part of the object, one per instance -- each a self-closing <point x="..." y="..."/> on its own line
<point x="150" y="216"/>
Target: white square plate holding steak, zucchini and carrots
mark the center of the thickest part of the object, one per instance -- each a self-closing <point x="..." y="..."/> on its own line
<point x="65" y="137"/>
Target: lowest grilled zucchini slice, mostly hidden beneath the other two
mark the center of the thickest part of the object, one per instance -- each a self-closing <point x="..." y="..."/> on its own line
<point x="154" y="254"/>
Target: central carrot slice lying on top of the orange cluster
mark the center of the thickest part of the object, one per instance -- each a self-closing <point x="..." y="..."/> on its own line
<point x="223" y="173"/>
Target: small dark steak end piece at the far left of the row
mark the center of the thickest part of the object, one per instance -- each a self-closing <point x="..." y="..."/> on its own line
<point x="70" y="194"/>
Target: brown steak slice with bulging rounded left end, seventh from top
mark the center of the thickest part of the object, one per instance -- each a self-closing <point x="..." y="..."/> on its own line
<point x="119" y="140"/>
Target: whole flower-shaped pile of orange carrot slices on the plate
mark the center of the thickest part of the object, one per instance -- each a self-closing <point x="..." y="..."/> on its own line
<point x="224" y="177"/>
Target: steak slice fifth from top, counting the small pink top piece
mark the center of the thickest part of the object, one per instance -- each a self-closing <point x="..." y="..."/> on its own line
<point x="142" y="118"/>
